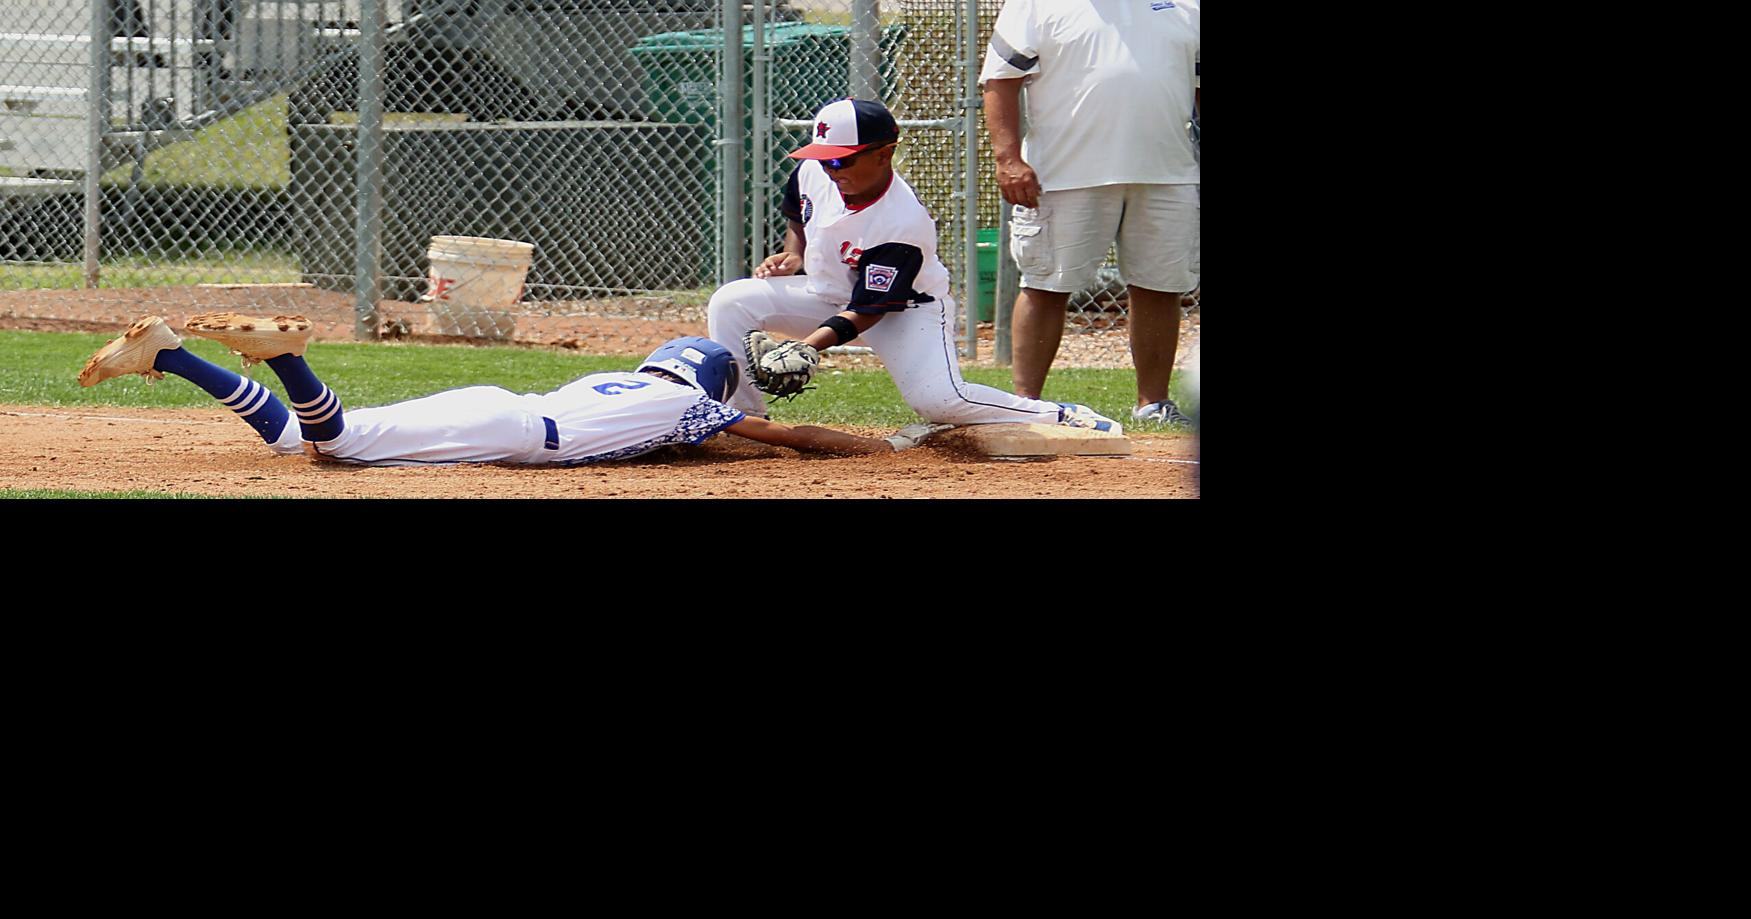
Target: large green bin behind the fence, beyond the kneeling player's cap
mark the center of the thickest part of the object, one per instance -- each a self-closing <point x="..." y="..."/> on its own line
<point x="810" y="67"/>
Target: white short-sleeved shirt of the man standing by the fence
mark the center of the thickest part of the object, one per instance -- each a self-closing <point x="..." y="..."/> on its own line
<point x="1109" y="88"/>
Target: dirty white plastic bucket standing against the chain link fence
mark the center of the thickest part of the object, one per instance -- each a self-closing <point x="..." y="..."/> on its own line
<point x="474" y="284"/>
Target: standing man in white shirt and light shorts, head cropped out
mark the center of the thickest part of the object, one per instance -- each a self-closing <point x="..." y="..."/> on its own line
<point x="1109" y="87"/>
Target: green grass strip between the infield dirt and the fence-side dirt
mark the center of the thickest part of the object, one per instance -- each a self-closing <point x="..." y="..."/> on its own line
<point x="43" y="368"/>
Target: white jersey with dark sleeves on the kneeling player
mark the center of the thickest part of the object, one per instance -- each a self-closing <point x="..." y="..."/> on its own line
<point x="878" y="258"/>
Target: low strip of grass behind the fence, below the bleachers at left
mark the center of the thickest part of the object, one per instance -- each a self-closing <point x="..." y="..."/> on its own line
<point x="213" y="267"/>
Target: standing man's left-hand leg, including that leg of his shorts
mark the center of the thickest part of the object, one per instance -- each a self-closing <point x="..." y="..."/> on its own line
<point x="1058" y="249"/>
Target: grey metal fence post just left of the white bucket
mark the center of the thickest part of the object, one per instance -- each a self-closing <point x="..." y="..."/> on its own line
<point x="370" y="171"/>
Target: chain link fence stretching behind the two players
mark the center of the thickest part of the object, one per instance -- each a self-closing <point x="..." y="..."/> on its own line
<point x="179" y="157"/>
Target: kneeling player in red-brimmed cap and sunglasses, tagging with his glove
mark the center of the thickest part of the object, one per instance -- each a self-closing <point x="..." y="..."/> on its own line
<point x="861" y="262"/>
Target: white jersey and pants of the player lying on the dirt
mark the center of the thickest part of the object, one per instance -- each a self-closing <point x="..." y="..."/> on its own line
<point x="594" y="419"/>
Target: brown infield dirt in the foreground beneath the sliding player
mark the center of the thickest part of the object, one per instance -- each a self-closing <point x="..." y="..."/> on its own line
<point x="211" y="452"/>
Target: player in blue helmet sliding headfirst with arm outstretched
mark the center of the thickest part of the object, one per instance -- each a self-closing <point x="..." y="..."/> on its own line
<point x="675" y="396"/>
